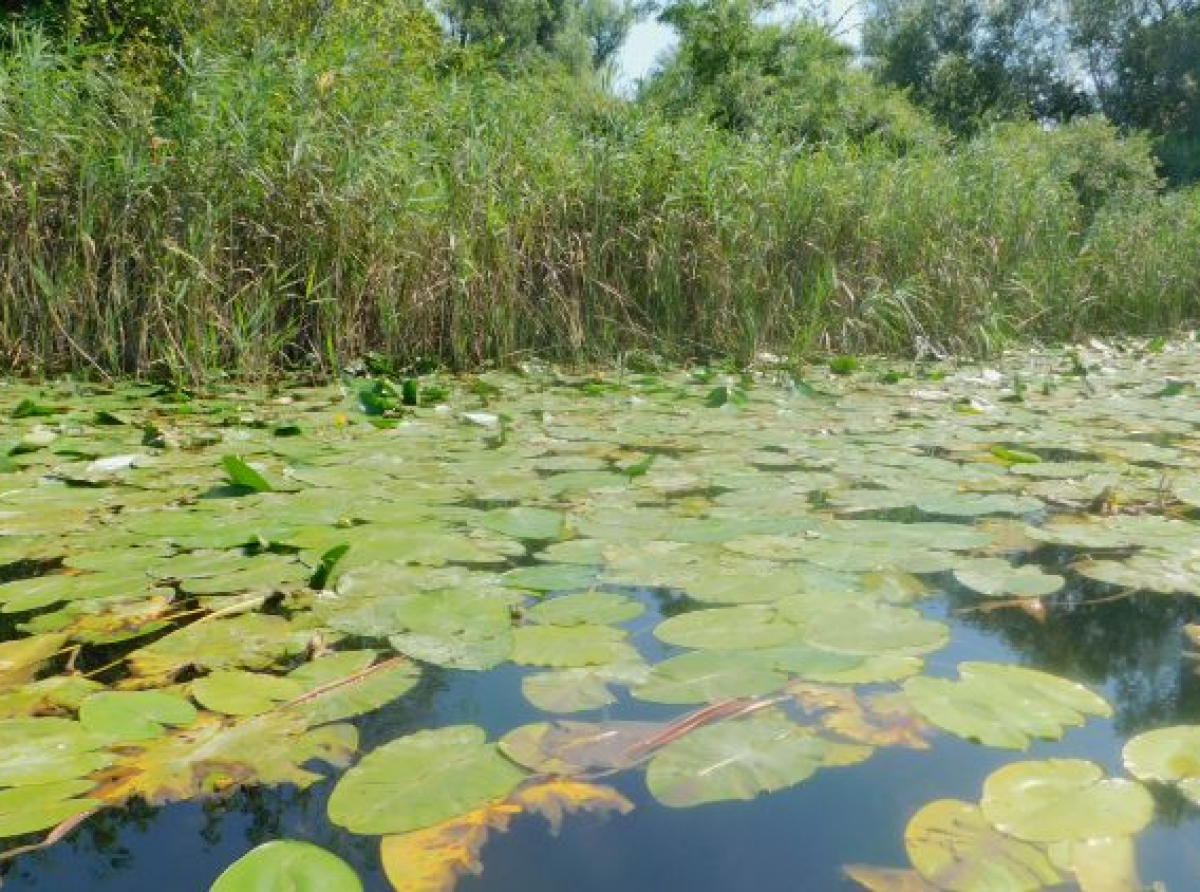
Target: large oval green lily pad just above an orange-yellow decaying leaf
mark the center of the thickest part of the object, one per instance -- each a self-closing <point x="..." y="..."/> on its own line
<point x="436" y="775"/>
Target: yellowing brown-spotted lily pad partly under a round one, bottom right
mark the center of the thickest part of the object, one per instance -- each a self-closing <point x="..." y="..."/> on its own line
<point x="953" y="846"/>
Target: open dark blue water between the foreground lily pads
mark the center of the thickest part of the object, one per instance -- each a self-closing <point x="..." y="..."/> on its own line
<point x="796" y="840"/>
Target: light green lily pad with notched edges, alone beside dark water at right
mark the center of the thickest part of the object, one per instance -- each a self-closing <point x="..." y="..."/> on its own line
<point x="1004" y="707"/>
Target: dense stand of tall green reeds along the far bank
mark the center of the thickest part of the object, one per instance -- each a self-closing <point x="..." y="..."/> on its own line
<point x="295" y="206"/>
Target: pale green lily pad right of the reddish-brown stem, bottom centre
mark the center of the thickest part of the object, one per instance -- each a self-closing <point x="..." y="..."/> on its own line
<point x="741" y="761"/>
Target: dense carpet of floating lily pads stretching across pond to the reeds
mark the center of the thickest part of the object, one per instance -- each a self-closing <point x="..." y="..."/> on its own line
<point x="206" y="590"/>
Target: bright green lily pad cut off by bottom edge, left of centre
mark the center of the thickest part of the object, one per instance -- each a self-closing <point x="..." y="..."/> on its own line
<point x="289" y="866"/>
